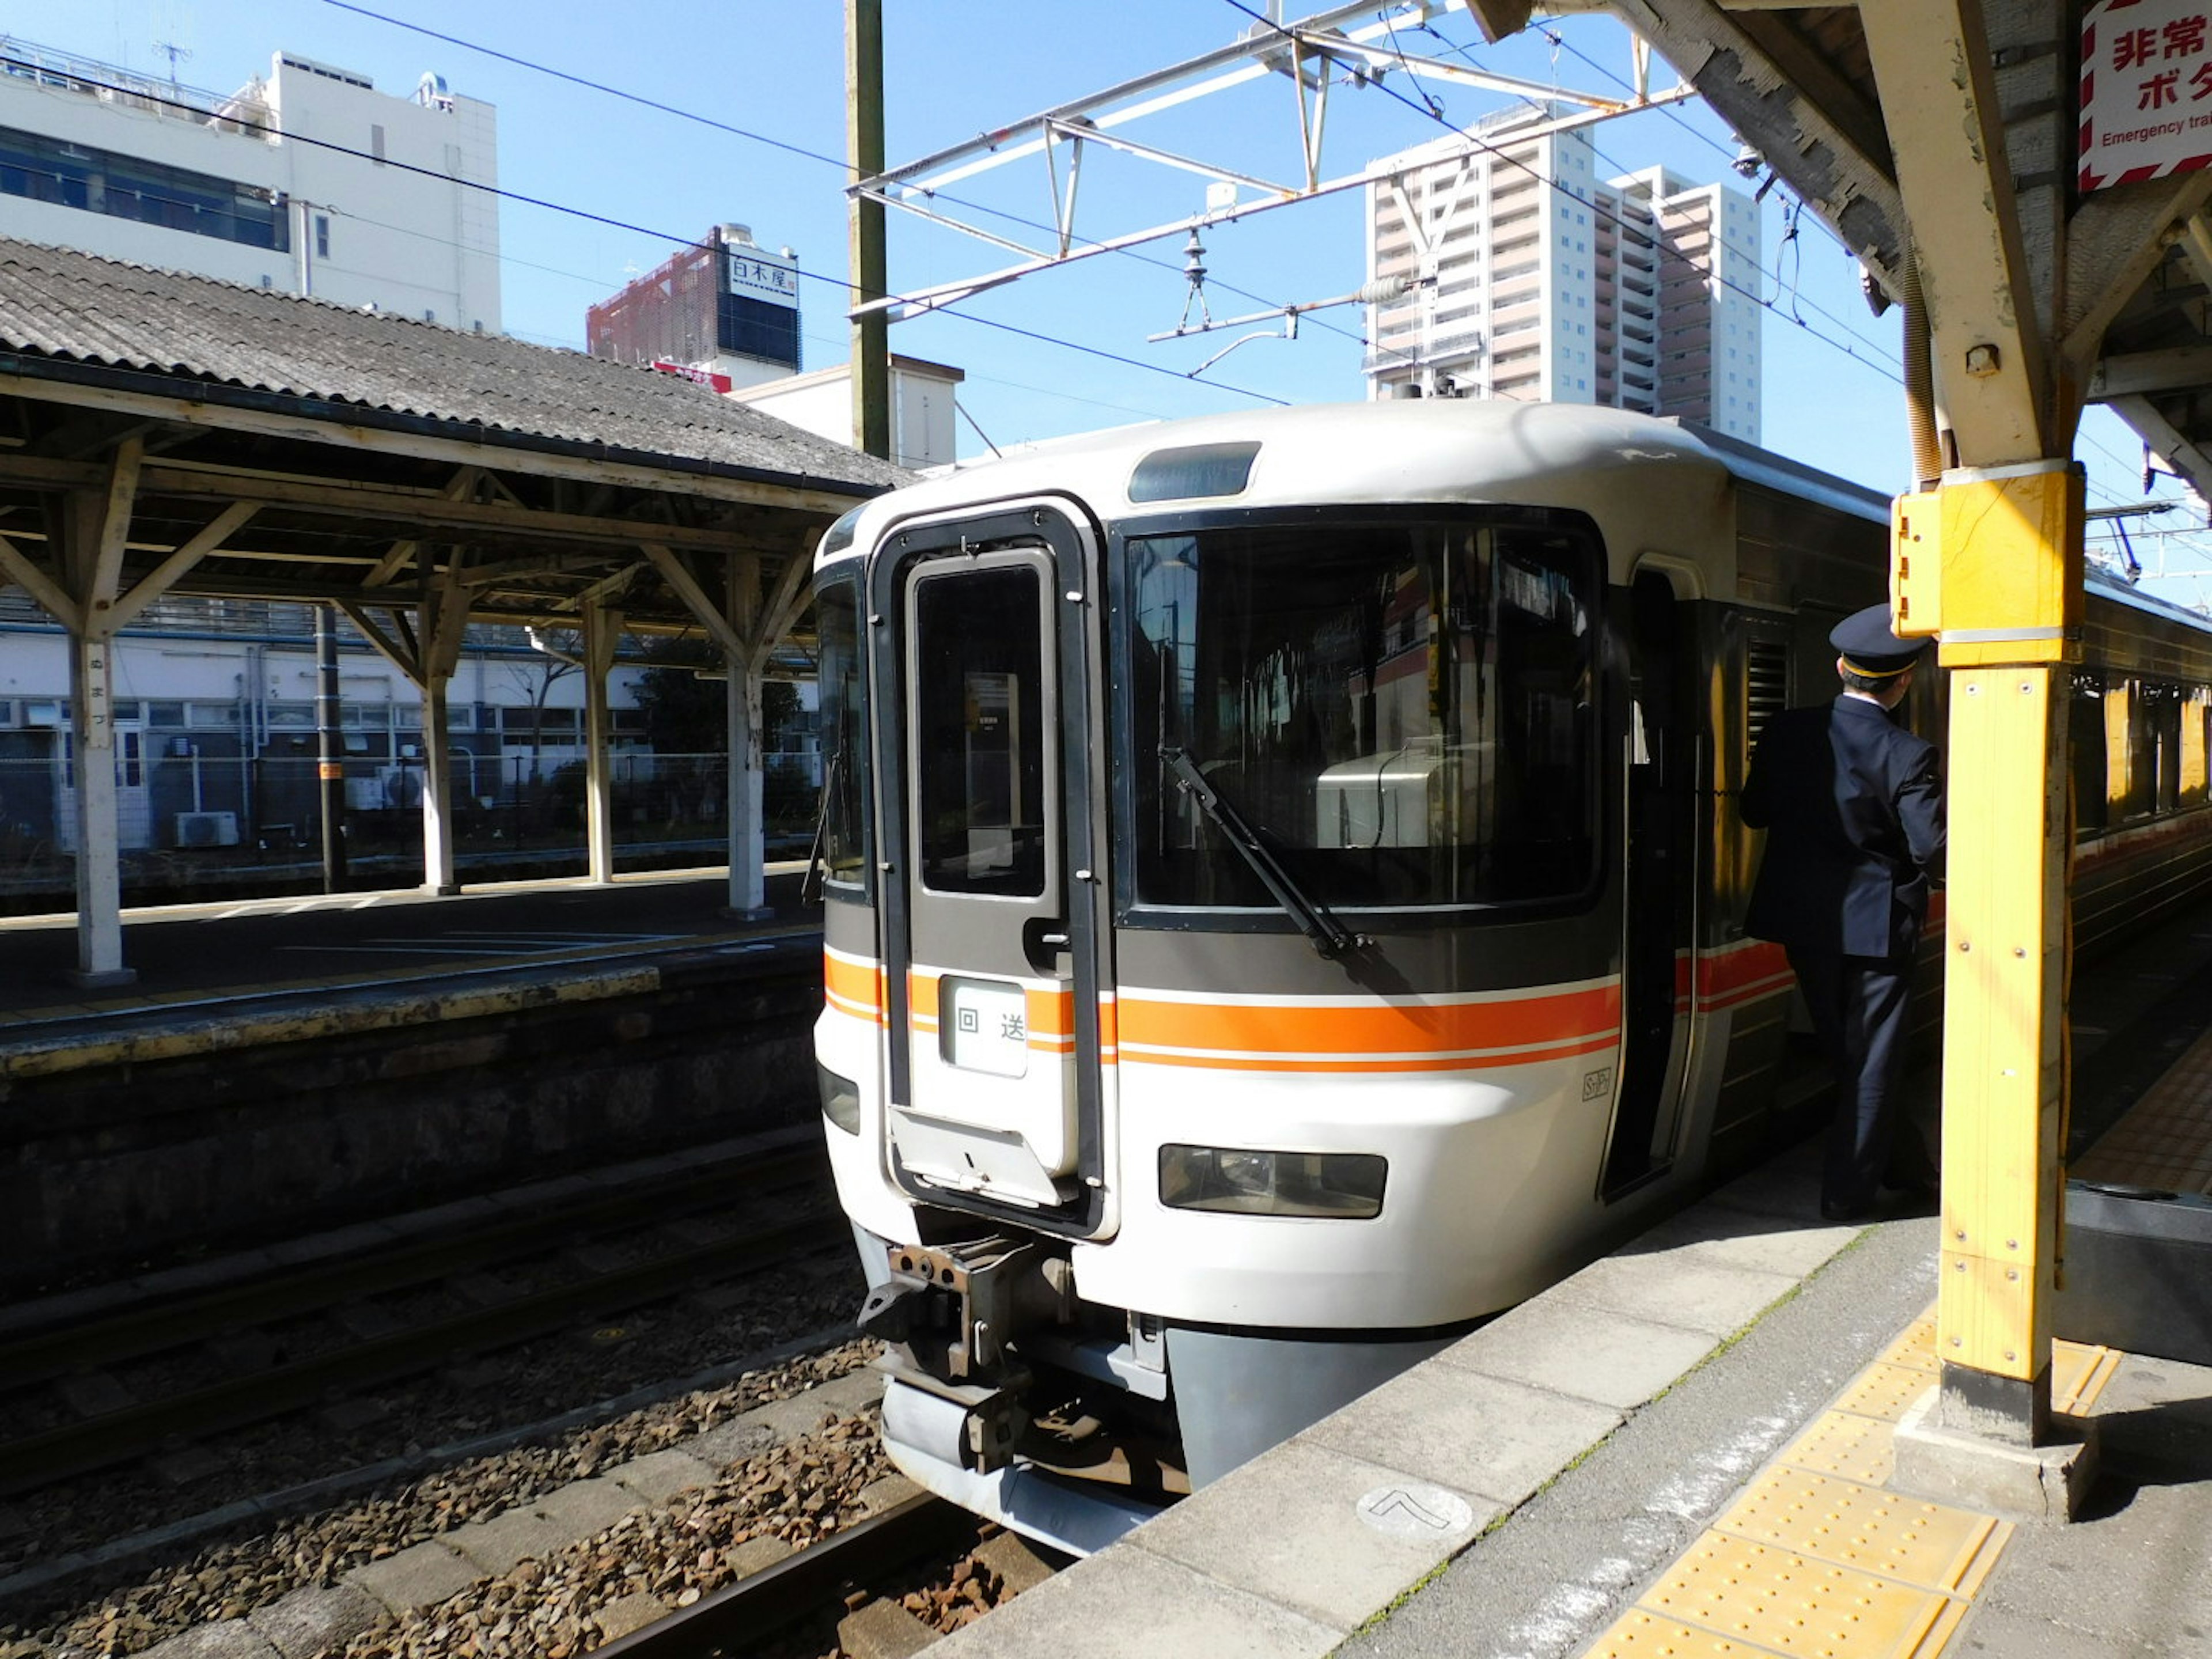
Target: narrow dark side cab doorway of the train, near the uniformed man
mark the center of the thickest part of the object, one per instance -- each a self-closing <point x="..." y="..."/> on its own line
<point x="1660" y="881"/>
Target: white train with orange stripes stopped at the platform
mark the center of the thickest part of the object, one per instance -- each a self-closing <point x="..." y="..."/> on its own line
<point x="1284" y="901"/>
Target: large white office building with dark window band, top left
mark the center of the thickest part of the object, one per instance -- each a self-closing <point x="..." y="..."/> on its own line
<point x="306" y="180"/>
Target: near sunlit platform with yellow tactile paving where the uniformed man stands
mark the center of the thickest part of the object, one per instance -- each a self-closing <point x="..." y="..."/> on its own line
<point x="1687" y="1448"/>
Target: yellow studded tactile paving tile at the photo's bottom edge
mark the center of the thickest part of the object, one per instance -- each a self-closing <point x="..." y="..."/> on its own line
<point x="1802" y="1607"/>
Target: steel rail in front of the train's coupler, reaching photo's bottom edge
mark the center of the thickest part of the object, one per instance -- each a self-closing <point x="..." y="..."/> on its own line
<point x="738" y="1616"/>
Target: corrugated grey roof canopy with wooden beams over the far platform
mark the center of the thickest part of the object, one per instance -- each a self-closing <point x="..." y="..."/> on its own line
<point x="286" y="448"/>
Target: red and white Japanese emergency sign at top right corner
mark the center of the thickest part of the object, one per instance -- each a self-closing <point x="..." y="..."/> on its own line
<point x="2147" y="90"/>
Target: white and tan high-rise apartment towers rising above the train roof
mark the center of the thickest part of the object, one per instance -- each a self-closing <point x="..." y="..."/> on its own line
<point x="1538" y="280"/>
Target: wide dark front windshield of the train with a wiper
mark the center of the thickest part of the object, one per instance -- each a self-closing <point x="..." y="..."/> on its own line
<point x="1404" y="711"/>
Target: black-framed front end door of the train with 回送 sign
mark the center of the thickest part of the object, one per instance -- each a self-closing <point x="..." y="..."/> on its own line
<point x="992" y="893"/>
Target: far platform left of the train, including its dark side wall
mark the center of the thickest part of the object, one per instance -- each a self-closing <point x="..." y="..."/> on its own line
<point x="306" y="1063"/>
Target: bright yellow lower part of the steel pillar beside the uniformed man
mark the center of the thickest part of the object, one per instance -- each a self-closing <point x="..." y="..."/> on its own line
<point x="1992" y="563"/>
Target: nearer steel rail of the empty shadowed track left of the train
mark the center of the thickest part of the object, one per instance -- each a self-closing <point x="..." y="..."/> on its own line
<point x="140" y="1430"/>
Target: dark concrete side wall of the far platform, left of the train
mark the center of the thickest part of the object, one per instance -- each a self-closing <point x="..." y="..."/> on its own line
<point x="198" y="1131"/>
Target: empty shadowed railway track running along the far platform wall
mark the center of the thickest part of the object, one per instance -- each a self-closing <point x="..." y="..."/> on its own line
<point x="589" y="1258"/>
